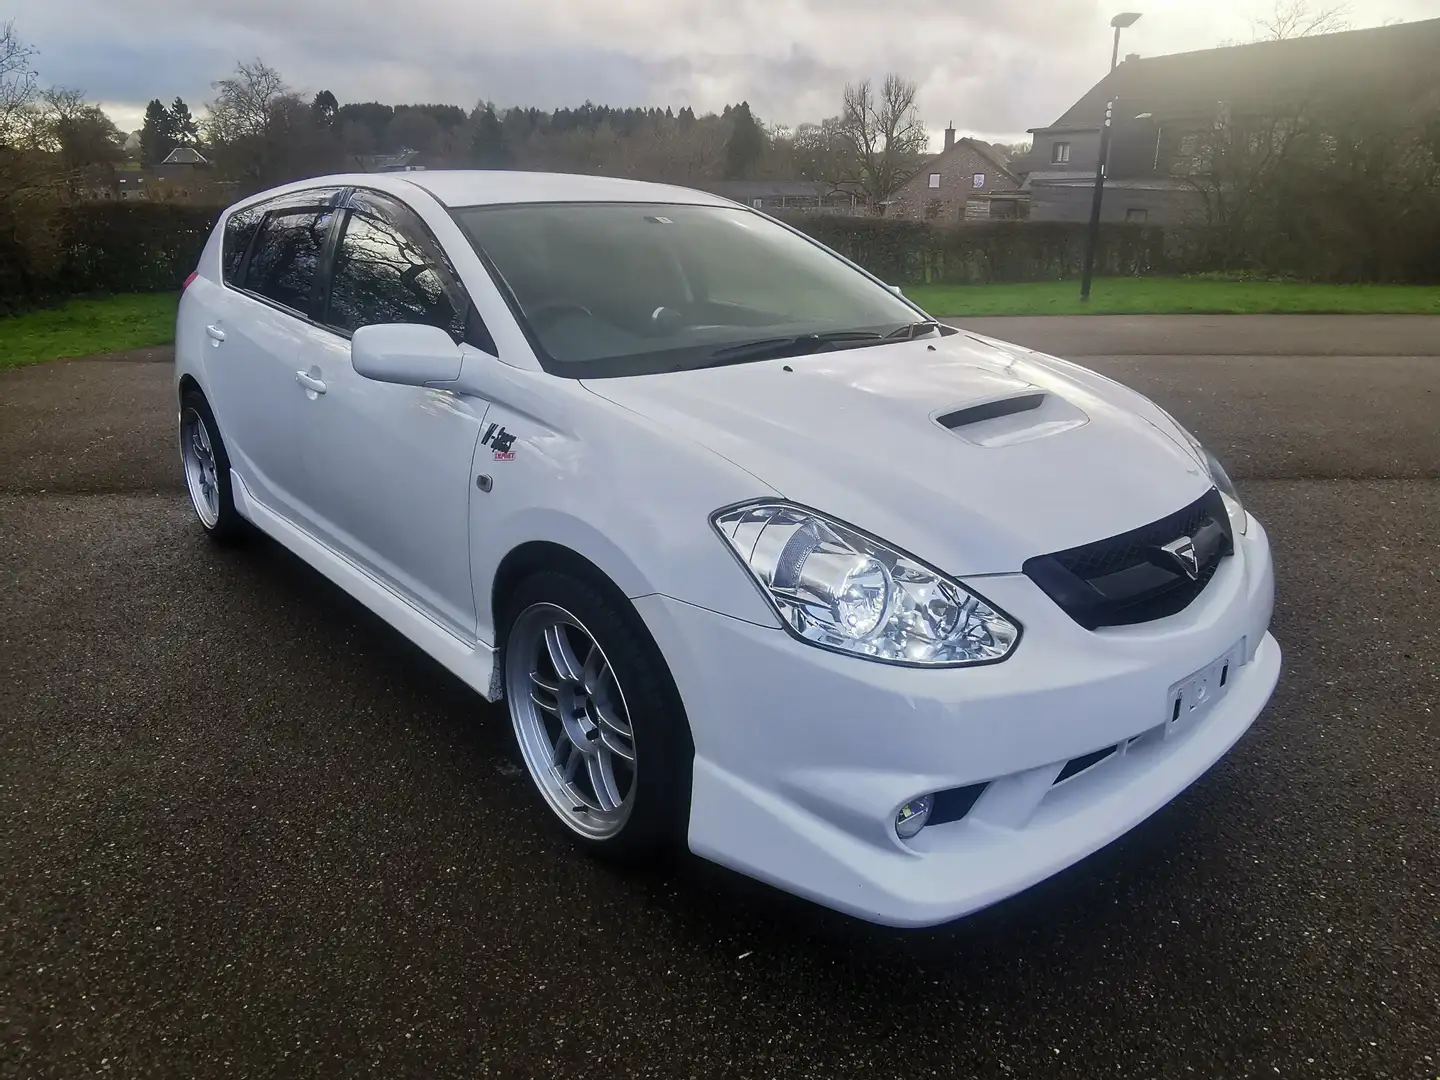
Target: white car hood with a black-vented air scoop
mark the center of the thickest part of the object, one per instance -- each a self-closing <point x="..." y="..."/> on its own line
<point x="968" y="453"/>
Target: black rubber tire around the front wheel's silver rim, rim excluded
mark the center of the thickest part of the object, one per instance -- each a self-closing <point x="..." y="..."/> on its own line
<point x="665" y="751"/>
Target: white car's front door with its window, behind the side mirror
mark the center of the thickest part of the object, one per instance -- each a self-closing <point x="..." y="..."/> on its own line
<point x="387" y="469"/>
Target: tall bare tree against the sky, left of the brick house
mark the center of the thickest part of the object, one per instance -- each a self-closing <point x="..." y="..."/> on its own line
<point x="885" y="138"/>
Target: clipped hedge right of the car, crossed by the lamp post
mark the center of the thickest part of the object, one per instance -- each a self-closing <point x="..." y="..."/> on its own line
<point x="984" y="253"/>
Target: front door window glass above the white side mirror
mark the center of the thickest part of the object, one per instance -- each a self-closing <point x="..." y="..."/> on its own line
<point x="390" y="270"/>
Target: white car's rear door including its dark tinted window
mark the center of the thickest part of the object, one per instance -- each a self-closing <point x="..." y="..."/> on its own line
<point x="258" y="336"/>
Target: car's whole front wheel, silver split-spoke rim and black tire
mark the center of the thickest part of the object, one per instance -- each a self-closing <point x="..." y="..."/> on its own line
<point x="611" y="693"/>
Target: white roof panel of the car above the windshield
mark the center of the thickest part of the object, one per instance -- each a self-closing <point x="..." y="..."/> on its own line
<point x="495" y="188"/>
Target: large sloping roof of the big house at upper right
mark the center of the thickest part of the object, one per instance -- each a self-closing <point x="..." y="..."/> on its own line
<point x="1385" y="61"/>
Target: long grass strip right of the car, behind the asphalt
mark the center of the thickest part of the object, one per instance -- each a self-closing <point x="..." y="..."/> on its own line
<point x="1176" y="297"/>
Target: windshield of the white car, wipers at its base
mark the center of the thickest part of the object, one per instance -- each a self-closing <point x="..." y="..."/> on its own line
<point x="636" y="289"/>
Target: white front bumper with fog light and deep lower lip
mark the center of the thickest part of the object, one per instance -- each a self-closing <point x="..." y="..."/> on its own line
<point x="804" y="757"/>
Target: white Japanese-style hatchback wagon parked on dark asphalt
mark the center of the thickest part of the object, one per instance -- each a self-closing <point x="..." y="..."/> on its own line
<point x="761" y="558"/>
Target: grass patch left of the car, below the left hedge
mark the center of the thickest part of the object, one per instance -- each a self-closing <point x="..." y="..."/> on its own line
<point x="81" y="328"/>
